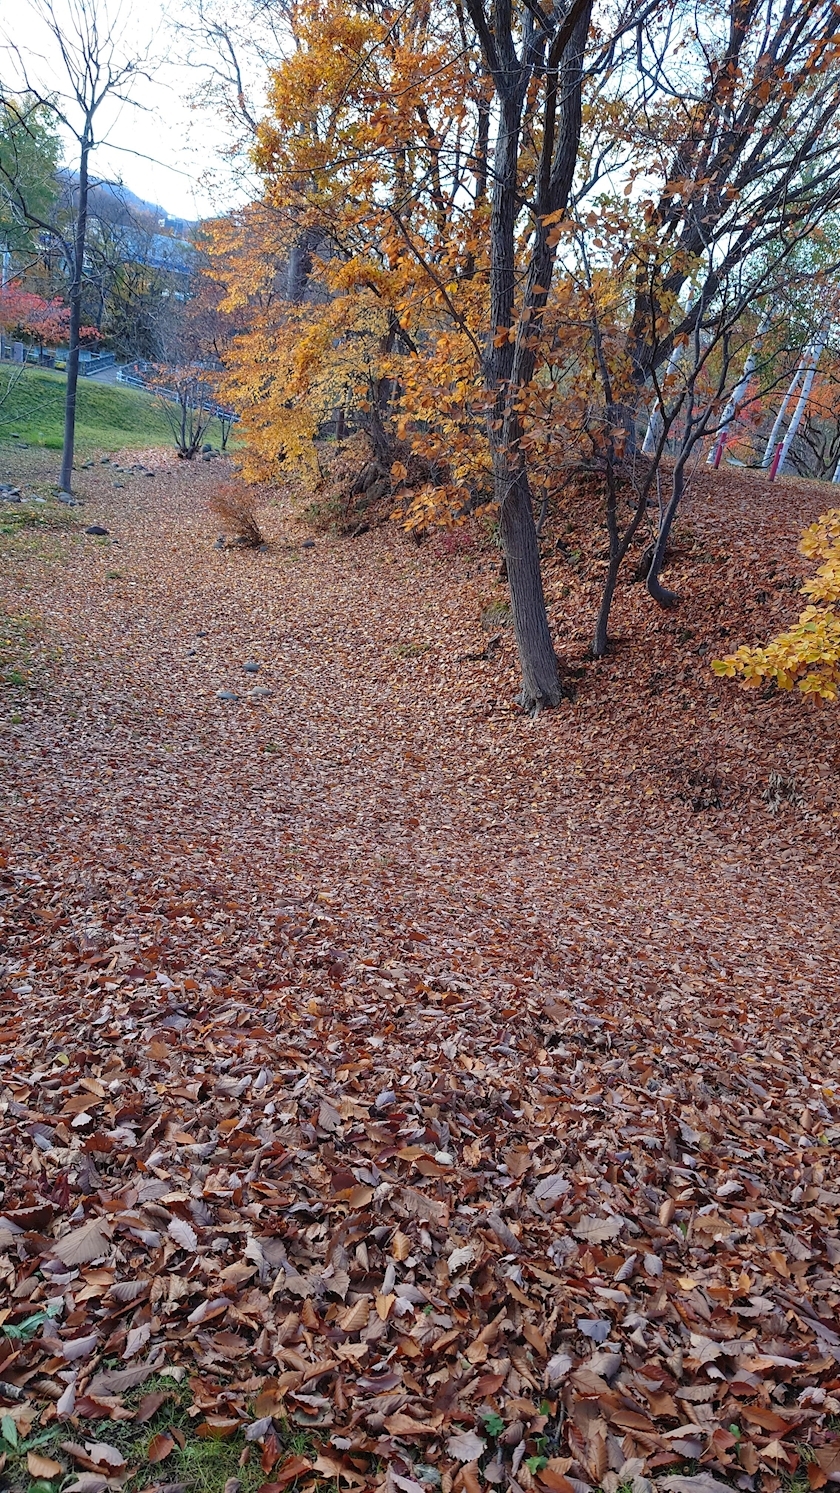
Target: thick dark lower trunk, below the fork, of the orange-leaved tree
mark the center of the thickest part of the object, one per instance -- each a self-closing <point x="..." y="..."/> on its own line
<point x="538" y="661"/>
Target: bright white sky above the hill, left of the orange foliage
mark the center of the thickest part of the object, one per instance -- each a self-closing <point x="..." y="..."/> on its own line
<point x="160" y="147"/>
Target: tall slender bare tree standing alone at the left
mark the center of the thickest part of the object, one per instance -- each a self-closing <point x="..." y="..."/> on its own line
<point x="98" y="63"/>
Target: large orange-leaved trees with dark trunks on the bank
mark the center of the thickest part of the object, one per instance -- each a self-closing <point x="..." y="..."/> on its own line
<point x="498" y="235"/>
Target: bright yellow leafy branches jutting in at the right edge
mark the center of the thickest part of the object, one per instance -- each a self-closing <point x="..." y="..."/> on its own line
<point x="808" y="656"/>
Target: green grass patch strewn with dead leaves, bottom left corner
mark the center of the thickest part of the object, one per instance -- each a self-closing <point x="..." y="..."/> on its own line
<point x="204" y="1464"/>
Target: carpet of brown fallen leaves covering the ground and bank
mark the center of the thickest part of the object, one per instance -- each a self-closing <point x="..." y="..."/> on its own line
<point x="459" y="1089"/>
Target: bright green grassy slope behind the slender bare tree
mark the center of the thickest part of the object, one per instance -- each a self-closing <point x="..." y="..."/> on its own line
<point x="108" y="417"/>
